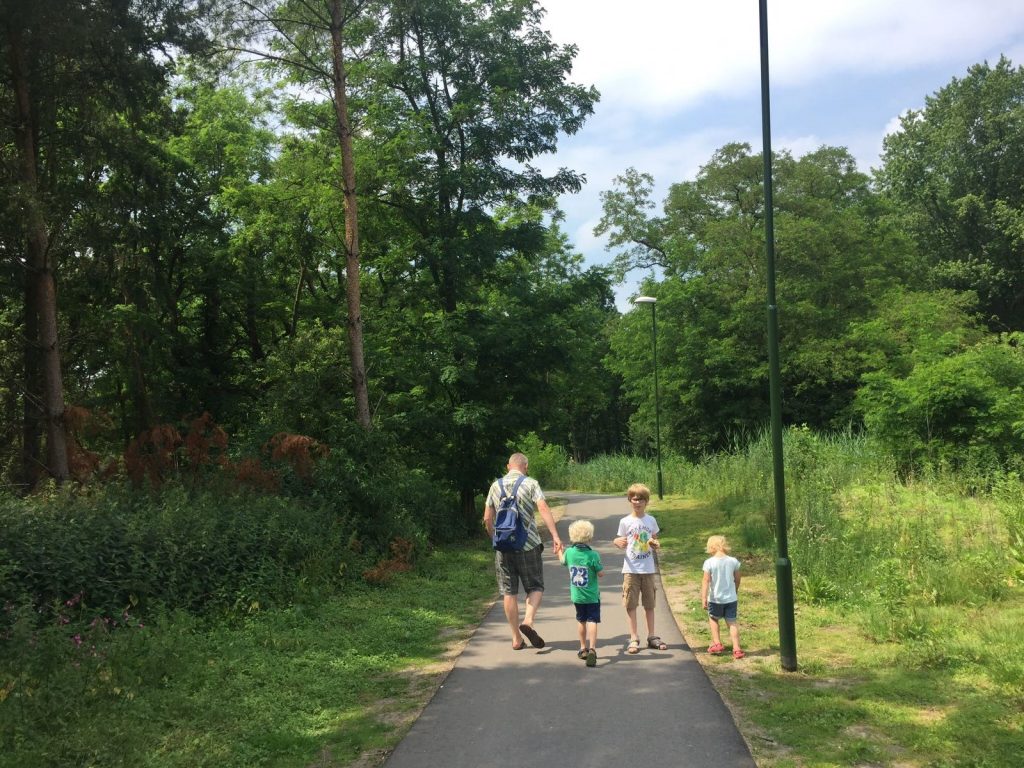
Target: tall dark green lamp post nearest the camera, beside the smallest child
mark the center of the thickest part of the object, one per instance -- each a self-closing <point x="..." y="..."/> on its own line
<point x="784" y="569"/>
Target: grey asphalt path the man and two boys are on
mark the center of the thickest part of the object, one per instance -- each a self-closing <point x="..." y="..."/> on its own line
<point x="545" y="709"/>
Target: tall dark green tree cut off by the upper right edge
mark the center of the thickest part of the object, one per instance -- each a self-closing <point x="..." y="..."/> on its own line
<point x="955" y="167"/>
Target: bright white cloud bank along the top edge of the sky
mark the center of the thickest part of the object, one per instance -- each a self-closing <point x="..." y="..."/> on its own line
<point x="663" y="55"/>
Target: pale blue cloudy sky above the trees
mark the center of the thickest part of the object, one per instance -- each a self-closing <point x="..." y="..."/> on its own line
<point x="679" y="79"/>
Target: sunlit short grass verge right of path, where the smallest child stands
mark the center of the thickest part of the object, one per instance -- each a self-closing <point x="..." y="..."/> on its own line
<point x="952" y="695"/>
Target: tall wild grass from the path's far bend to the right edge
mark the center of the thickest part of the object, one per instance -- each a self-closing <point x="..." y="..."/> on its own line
<point x="859" y="533"/>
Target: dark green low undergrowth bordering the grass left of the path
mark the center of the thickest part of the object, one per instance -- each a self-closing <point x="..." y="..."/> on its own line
<point x="197" y="550"/>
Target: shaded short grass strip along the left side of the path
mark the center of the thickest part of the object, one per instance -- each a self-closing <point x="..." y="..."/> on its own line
<point x="326" y="681"/>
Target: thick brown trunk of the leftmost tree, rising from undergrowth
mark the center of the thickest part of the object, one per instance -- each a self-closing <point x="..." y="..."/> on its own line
<point x="39" y="267"/>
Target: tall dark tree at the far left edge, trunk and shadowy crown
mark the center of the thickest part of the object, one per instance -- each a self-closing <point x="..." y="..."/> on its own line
<point x="63" y="65"/>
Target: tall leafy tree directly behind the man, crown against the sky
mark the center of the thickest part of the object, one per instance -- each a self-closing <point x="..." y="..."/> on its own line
<point x="479" y="92"/>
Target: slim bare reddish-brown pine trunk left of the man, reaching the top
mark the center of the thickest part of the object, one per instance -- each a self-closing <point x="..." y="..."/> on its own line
<point x="353" y="293"/>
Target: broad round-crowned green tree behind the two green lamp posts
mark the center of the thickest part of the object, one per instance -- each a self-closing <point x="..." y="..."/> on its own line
<point x="837" y="250"/>
